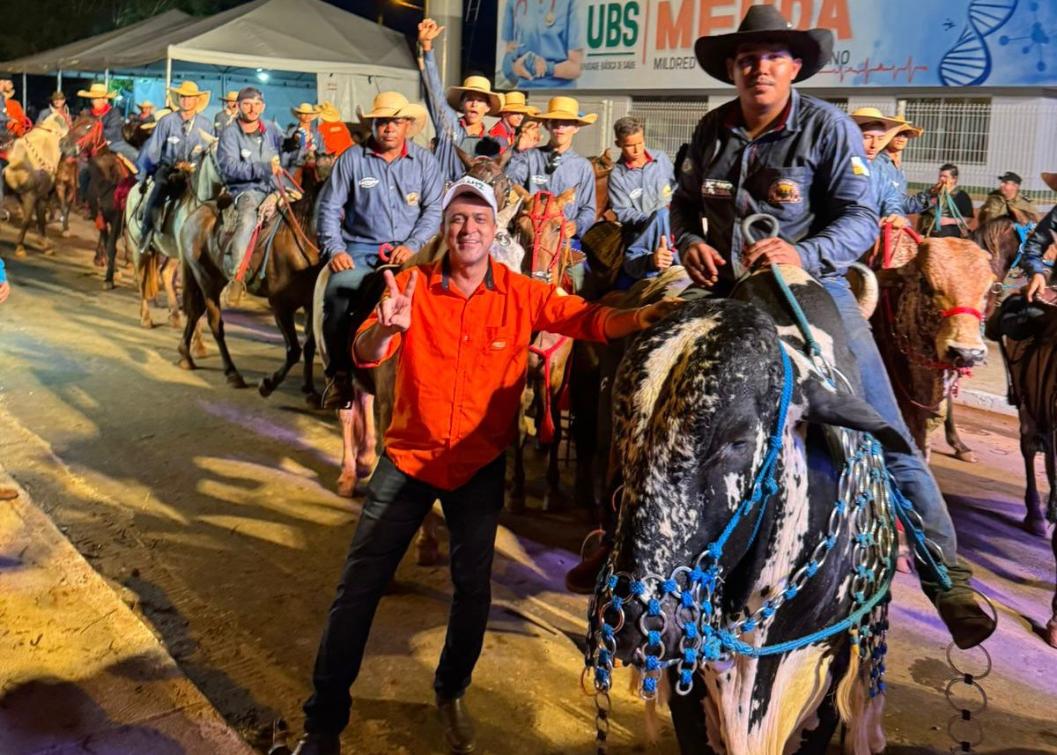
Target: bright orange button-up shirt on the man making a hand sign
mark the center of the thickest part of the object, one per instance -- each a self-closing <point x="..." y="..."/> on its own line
<point x="462" y="367"/>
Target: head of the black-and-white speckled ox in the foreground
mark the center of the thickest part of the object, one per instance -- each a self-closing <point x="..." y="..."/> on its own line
<point x="696" y="402"/>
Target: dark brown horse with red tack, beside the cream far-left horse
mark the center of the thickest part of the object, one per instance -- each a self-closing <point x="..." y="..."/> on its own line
<point x="110" y="179"/>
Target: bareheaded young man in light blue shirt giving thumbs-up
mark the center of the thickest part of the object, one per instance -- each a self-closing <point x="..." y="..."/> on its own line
<point x="640" y="192"/>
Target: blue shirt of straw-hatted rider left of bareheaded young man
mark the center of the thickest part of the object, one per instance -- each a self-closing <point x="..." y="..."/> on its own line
<point x="530" y="170"/>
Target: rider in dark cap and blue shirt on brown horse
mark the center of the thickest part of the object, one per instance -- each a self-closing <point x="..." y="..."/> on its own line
<point x="251" y="159"/>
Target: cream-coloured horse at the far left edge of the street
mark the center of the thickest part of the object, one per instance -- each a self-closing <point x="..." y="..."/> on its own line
<point x="33" y="161"/>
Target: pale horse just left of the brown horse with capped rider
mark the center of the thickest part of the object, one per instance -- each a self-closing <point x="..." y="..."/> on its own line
<point x="191" y="187"/>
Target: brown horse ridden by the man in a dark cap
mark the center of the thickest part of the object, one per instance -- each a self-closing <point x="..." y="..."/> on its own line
<point x="284" y="272"/>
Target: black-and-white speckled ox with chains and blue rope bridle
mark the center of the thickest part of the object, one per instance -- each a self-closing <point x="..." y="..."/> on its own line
<point x="735" y="449"/>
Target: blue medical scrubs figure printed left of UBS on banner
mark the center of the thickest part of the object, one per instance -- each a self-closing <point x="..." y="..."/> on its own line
<point x="547" y="29"/>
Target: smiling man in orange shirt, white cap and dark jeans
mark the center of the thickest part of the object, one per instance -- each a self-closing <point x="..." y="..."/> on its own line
<point x="462" y="327"/>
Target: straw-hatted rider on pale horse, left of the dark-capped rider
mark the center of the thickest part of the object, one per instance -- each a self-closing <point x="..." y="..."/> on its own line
<point x="179" y="138"/>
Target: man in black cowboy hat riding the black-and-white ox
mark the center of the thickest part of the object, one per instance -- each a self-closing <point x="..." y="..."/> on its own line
<point x="812" y="175"/>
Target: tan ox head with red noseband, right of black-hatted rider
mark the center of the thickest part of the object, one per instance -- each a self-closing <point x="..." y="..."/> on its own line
<point x="956" y="277"/>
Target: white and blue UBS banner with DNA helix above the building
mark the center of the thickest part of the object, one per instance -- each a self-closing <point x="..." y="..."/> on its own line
<point x="648" y="45"/>
